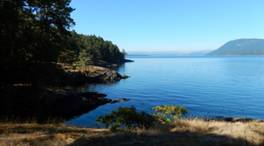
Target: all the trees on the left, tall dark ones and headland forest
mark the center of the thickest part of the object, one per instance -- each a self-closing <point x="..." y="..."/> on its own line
<point x="39" y="31"/>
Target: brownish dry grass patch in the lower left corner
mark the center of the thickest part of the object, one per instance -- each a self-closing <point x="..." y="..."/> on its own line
<point x="44" y="135"/>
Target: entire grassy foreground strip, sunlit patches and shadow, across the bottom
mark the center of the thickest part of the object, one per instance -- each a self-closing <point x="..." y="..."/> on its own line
<point x="193" y="132"/>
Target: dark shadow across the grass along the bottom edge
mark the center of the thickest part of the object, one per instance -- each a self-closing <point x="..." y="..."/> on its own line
<point x="160" y="139"/>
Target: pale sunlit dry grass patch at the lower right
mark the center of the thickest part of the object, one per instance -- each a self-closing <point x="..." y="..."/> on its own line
<point x="252" y="131"/>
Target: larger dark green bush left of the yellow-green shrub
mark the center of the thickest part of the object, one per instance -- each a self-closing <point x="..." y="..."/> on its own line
<point x="128" y="118"/>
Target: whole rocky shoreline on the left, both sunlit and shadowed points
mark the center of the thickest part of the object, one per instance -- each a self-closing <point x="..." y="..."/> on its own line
<point x="48" y="98"/>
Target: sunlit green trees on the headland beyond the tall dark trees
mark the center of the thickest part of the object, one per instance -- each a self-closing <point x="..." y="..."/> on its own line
<point x="90" y="49"/>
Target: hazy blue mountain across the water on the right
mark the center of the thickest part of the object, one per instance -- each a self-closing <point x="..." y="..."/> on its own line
<point x="241" y="47"/>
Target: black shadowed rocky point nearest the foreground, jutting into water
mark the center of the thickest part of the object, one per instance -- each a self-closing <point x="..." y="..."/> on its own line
<point x="42" y="105"/>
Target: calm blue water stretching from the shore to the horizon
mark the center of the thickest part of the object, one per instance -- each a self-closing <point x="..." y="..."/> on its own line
<point x="230" y="86"/>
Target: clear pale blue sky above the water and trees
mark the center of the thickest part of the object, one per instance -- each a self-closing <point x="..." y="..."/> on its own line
<point x="170" y="25"/>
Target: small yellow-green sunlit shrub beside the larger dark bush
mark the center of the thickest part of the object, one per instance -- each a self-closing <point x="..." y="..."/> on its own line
<point x="169" y="113"/>
